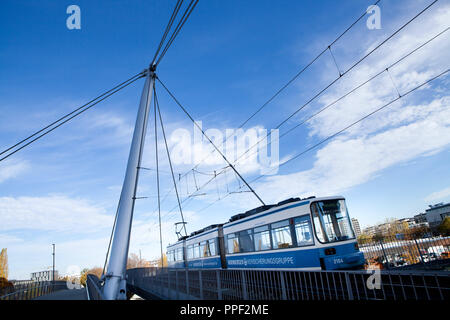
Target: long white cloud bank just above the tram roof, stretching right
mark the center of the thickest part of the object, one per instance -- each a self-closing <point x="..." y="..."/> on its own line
<point x="350" y="161"/>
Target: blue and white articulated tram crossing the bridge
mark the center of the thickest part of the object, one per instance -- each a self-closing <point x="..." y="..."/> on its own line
<point x="295" y="234"/>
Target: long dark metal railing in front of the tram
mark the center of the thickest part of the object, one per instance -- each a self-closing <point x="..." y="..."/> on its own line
<point x="153" y="283"/>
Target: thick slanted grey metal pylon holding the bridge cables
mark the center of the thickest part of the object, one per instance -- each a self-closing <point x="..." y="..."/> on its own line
<point x="115" y="282"/>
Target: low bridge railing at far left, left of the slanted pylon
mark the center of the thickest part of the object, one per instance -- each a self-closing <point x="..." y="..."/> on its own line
<point x="27" y="290"/>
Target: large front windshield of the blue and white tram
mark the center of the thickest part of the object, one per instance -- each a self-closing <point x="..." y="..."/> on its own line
<point x="331" y="221"/>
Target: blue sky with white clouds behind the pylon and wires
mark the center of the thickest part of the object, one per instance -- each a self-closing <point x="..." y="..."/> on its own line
<point x="229" y="59"/>
